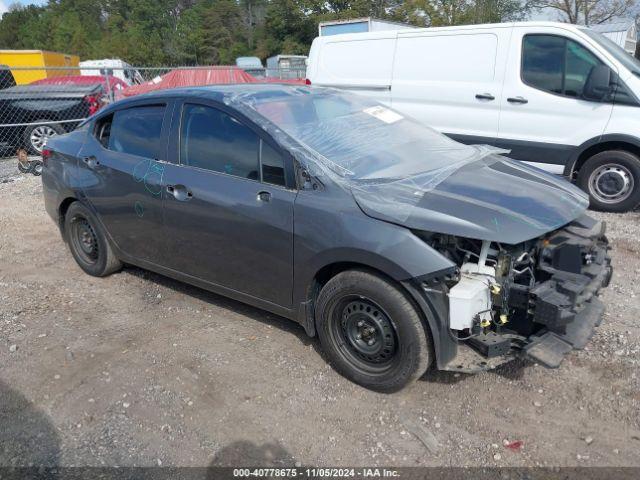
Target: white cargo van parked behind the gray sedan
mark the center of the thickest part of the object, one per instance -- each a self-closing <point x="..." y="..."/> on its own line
<point x="557" y="95"/>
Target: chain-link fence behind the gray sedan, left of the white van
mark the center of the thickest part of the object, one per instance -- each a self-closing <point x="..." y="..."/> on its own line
<point x="37" y="103"/>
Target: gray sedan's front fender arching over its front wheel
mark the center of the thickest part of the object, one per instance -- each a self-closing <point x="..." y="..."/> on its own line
<point x="331" y="230"/>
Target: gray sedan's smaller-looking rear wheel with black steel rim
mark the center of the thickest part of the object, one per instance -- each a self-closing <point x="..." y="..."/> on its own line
<point x="88" y="243"/>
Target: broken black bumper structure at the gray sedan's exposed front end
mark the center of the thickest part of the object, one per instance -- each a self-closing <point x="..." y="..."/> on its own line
<point x="578" y="265"/>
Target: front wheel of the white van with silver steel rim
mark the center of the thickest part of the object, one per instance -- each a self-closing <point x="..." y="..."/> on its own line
<point x="612" y="180"/>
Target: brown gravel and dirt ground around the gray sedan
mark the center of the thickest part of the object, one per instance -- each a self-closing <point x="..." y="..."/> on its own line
<point x="137" y="369"/>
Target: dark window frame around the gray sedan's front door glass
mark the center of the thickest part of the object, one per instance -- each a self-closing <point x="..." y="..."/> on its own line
<point x="259" y="133"/>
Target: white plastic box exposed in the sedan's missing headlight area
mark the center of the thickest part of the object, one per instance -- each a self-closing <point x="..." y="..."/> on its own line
<point x="470" y="296"/>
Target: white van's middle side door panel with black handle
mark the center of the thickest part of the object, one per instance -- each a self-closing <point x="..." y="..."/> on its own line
<point x="452" y="79"/>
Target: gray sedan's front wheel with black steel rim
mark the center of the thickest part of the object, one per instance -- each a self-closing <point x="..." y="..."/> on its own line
<point x="371" y="331"/>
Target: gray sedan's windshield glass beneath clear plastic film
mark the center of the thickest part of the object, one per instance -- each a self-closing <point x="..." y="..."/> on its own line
<point x="360" y="138"/>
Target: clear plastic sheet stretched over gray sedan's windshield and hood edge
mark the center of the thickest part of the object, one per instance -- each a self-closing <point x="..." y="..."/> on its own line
<point x="386" y="159"/>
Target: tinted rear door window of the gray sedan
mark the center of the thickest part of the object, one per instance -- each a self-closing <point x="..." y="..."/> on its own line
<point x="136" y="131"/>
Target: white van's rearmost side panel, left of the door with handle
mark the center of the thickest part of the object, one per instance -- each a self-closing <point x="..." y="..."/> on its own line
<point x="360" y="63"/>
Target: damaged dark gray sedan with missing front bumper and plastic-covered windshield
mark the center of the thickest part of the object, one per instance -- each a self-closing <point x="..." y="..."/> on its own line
<point x="398" y="247"/>
